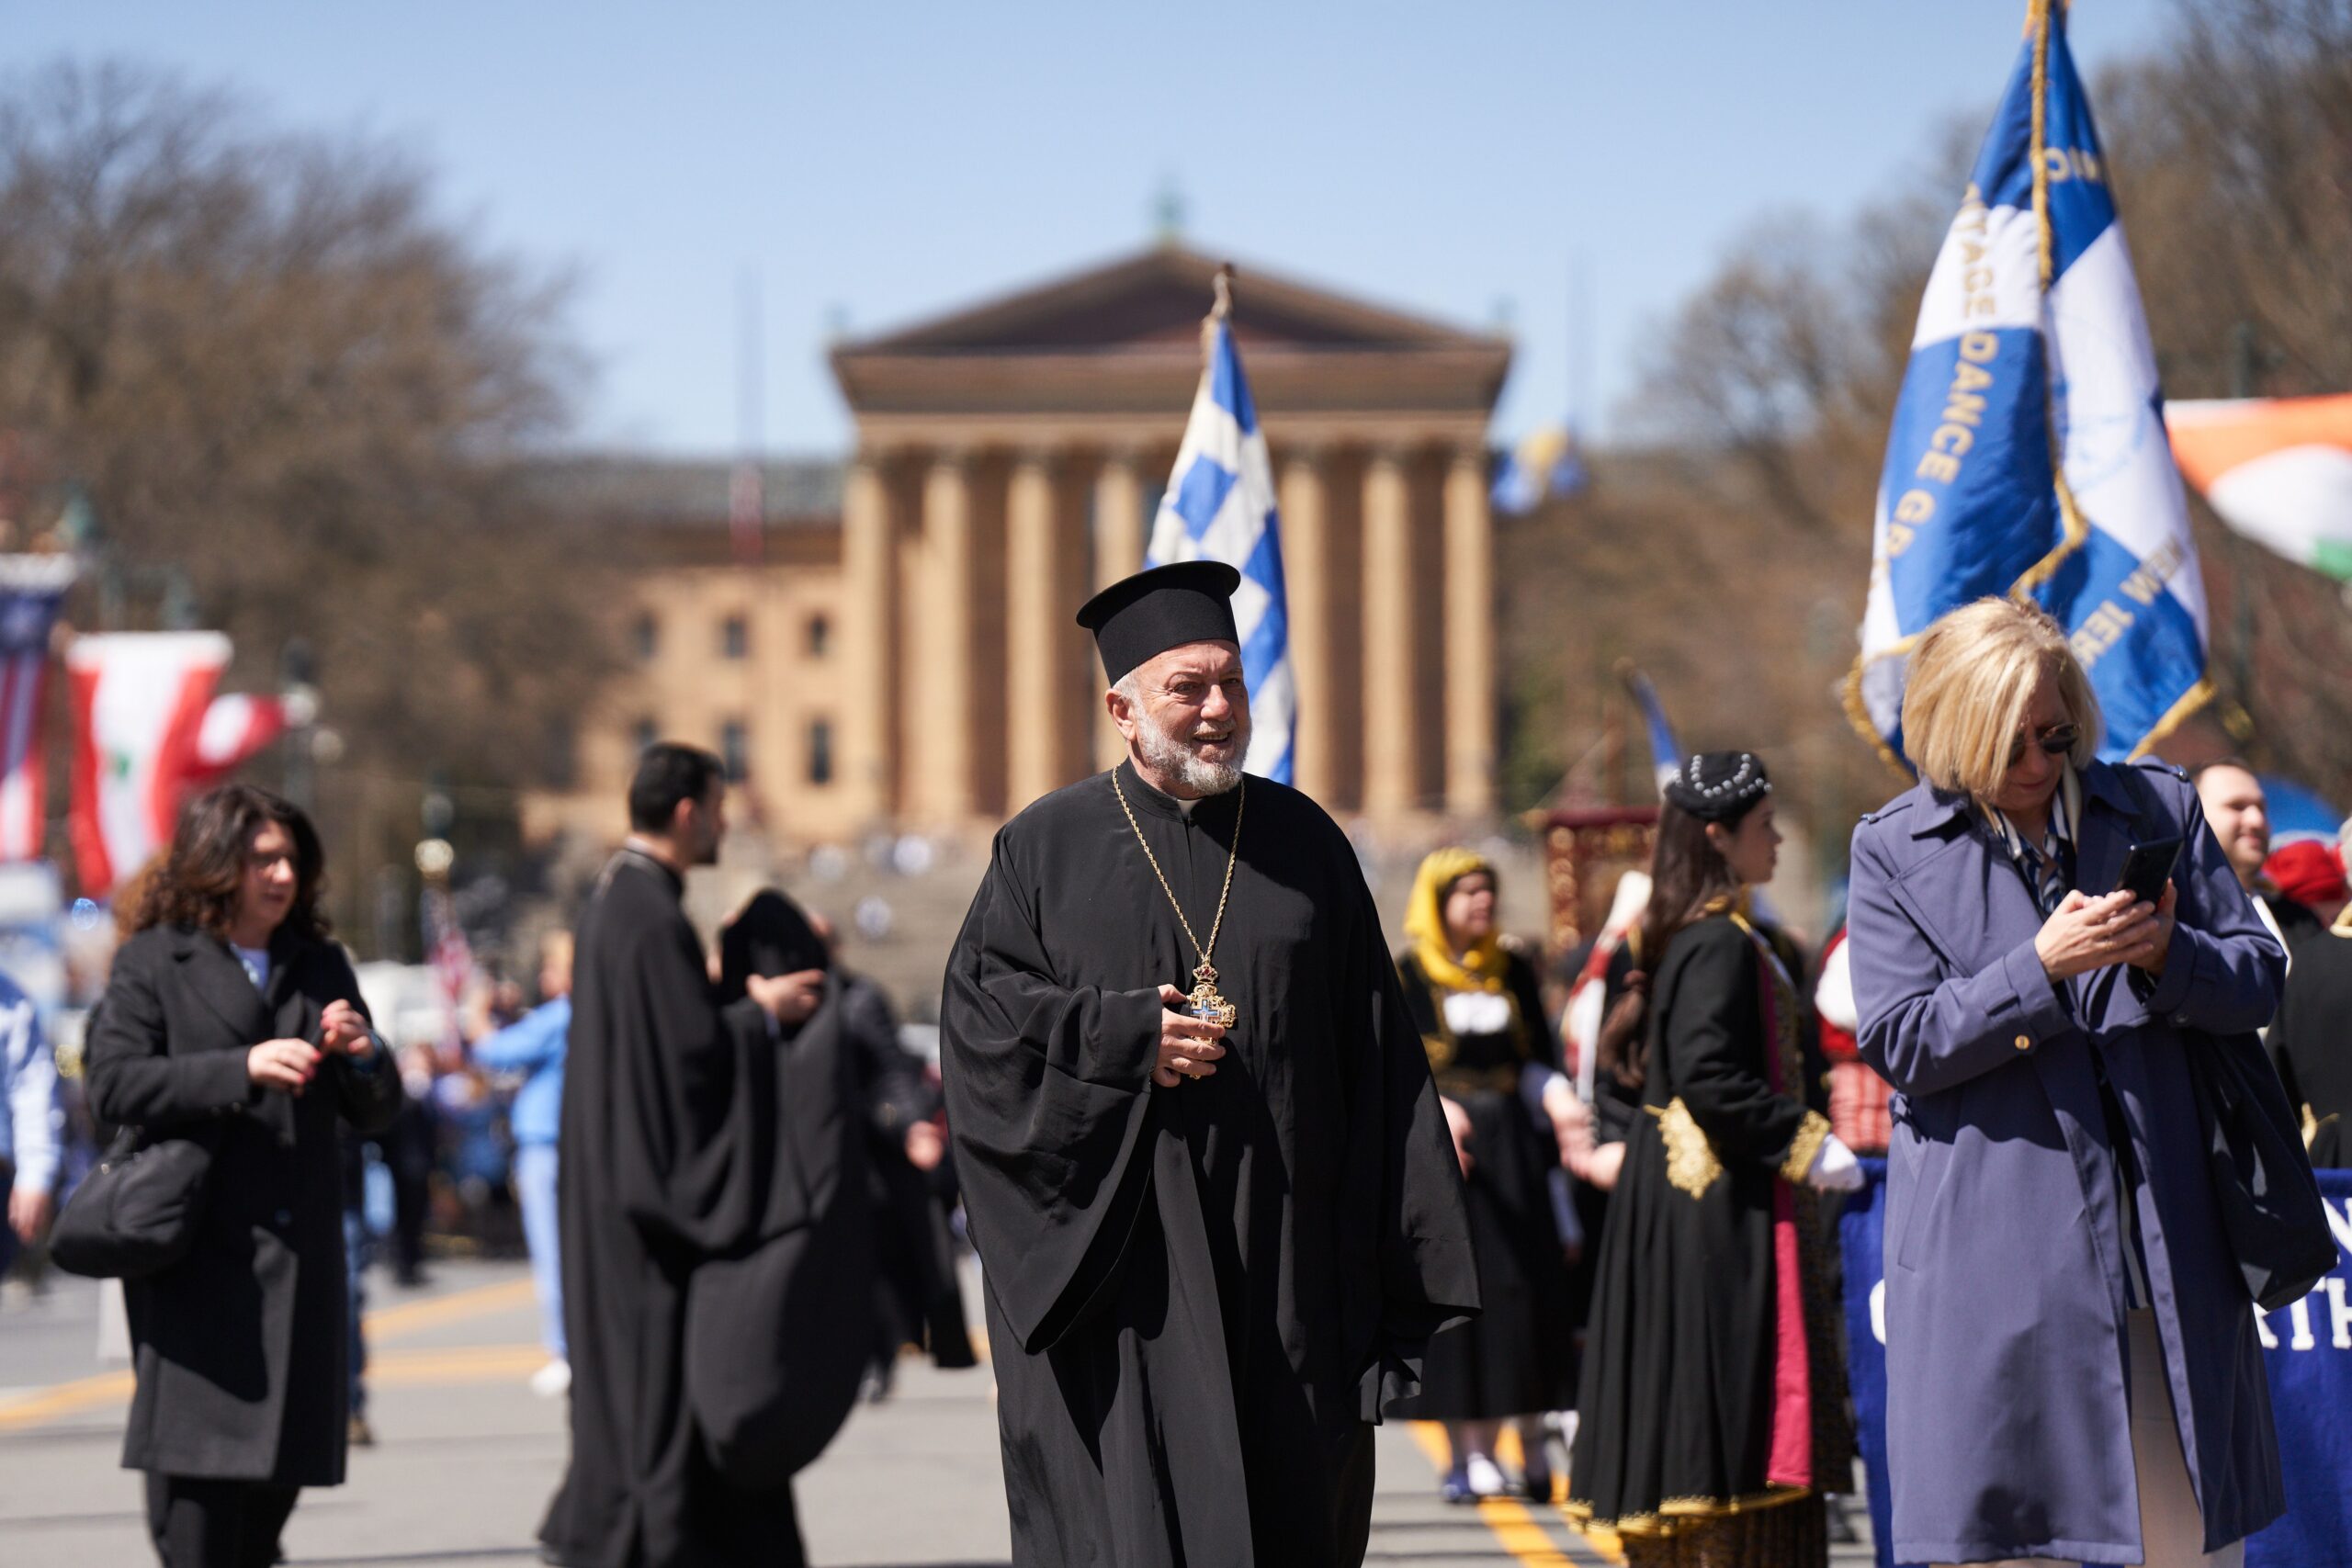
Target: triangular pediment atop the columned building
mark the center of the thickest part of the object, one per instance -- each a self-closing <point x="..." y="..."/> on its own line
<point x="1158" y="300"/>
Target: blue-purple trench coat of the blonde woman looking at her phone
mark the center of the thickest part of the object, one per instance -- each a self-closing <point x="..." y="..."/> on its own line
<point x="2005" y="1287"/>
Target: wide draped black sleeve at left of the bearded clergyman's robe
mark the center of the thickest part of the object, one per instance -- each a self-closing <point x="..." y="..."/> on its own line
<point x="1048" y="1097"/>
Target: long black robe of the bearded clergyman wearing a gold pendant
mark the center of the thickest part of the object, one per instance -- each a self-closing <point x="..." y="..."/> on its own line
<point x="1198" y="1296"/>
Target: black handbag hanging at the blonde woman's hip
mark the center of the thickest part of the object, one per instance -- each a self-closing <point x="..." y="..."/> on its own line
<point x="2261" y="1174"/>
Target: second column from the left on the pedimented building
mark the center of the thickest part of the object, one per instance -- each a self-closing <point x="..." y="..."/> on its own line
<point x="940" y="772"/>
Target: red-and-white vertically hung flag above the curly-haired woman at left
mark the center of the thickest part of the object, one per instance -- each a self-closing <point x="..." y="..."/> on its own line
<point x="140" y="704"/>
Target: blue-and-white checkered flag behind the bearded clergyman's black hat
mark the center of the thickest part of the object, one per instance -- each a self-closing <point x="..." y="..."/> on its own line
<point x="1222" y="507"/>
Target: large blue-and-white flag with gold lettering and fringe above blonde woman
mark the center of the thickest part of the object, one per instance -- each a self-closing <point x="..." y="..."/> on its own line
<point x="2031" y="344"/>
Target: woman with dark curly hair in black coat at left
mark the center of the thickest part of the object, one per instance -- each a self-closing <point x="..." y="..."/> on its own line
<point x="234" y="1019"/>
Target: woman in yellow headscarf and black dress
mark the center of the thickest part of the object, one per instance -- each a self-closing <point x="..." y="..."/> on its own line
<point x="1497" y="1064"/>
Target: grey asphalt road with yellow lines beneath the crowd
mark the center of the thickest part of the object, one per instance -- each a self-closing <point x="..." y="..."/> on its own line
<point x="467" y="1456"/>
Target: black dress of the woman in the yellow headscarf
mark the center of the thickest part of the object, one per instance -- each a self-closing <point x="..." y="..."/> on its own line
<point x="1516" y="1358"/>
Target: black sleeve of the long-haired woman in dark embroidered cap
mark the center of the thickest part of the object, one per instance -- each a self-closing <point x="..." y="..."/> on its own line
<point x="1711" y="1028"/>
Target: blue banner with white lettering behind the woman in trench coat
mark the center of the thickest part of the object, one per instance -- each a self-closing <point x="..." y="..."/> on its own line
<point x="2306" y="1351"/>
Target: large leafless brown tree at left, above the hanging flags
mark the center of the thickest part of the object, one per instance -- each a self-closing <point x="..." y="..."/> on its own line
<point x="295" y="389"/>
